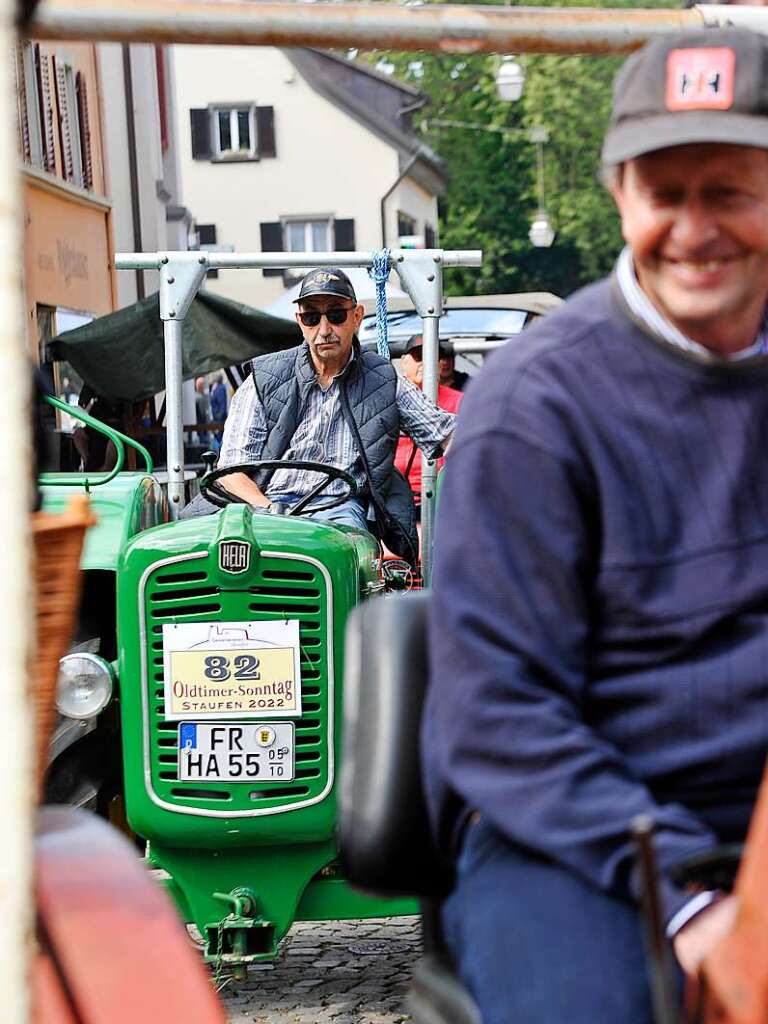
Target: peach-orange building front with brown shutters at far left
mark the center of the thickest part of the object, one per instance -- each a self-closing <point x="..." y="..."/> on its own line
<point x="67" y="209"/>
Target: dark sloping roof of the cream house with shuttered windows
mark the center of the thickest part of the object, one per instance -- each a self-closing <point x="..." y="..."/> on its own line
<point x="379" y="103"/>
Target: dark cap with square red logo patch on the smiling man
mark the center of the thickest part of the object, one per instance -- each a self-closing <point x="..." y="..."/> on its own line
<point x="708" y="86"/>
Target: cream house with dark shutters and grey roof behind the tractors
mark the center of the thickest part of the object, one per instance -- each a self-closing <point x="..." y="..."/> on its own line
<point x="298" y="151"/>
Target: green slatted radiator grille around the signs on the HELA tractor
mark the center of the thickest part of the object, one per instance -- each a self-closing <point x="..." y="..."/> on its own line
<point x="279" y="589"/>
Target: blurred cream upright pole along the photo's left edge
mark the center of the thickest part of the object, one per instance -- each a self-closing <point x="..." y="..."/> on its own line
<point x="17" y="800"/>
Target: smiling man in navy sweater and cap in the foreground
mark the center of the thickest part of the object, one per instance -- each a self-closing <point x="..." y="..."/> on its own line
<point x="602" y="582"/>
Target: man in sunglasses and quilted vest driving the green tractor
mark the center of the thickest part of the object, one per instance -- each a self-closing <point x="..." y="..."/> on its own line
<point x="329" y="402"/>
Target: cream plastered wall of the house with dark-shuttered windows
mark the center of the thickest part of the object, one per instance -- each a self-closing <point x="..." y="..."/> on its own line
<point x="327" y="163"/>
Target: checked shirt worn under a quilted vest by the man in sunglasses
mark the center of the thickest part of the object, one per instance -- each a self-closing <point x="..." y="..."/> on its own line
<point x="324" y="436"/>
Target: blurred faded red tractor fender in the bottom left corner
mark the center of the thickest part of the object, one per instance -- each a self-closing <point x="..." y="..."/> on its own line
<point x="112" y="944"/>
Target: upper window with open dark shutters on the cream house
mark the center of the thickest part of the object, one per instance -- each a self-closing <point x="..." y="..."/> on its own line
<point x="233" y="132"/>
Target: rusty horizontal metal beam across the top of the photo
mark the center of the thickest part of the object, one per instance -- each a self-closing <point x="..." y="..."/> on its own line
<point x="443" y="28"/>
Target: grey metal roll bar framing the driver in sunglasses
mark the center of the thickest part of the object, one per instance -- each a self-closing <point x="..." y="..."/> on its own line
<point x="182" y="274"/>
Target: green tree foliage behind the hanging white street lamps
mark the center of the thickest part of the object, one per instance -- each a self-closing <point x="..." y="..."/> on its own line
<point x="492" y="194"/>
